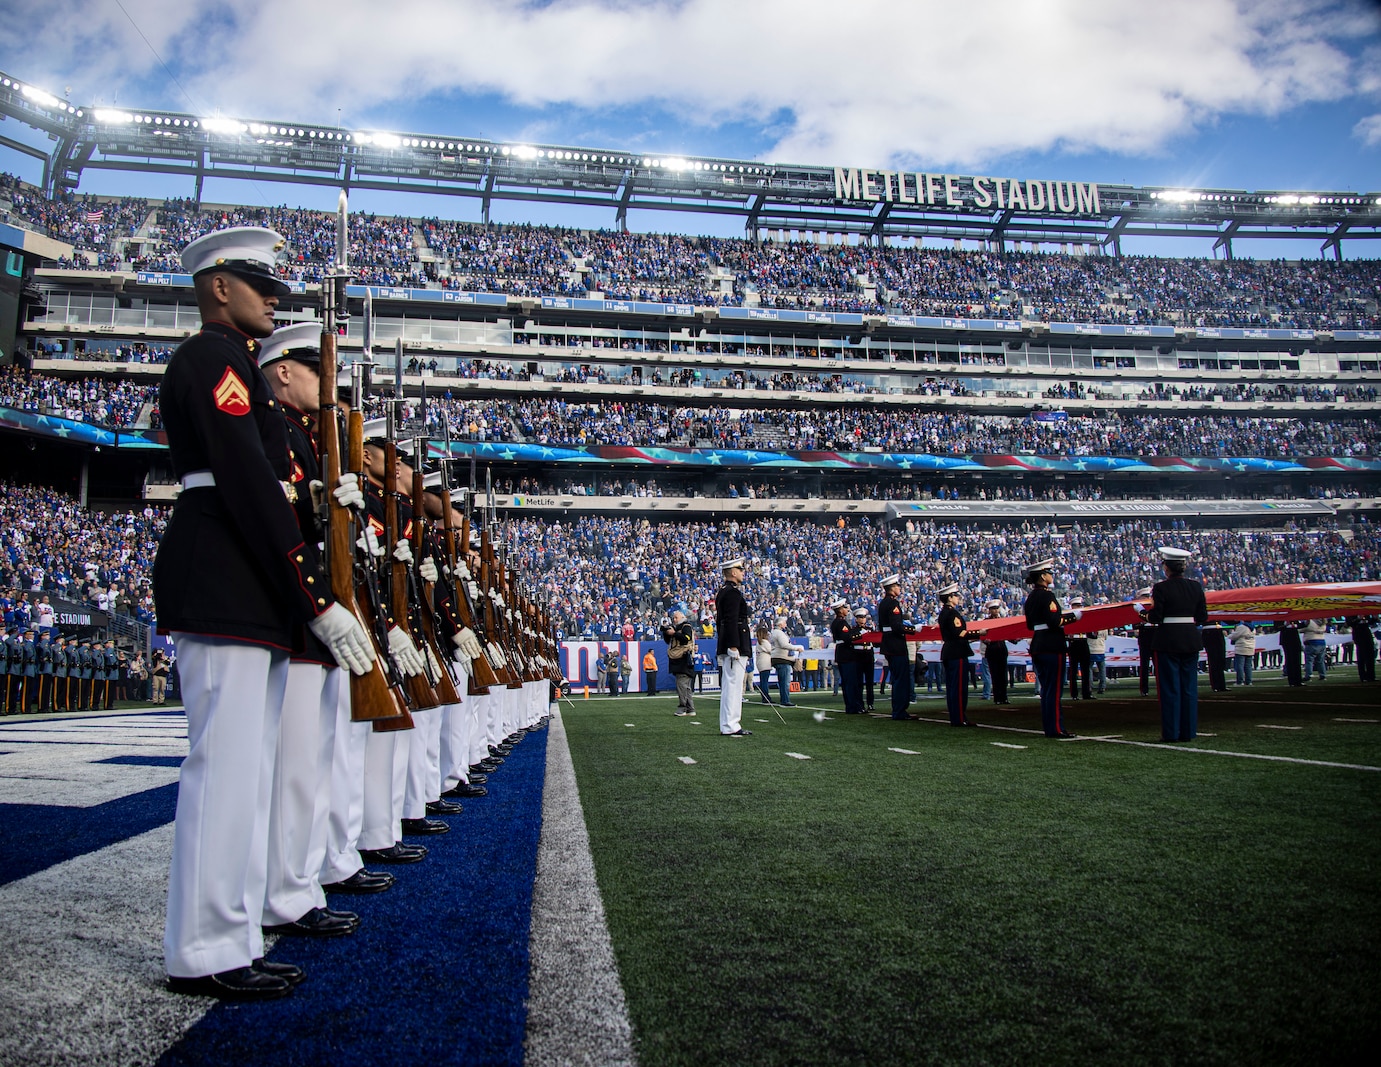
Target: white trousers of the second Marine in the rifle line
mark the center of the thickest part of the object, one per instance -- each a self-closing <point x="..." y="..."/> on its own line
<point x="302" y="789"/>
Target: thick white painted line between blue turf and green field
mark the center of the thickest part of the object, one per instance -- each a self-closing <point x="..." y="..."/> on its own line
<point x="577" y="1010"/>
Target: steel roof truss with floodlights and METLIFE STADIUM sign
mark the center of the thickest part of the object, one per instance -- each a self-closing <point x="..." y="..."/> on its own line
<point x="829" y="201"/>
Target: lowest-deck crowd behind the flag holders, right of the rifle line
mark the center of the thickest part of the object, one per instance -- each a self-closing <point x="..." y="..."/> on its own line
<point x="601" y="574"/>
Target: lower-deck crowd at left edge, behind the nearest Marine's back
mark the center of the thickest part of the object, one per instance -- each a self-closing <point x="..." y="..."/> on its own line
<point x="50" y="545"/>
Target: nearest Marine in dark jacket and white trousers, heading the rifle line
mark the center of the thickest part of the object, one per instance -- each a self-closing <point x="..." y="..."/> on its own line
<point x="234" y="582"/>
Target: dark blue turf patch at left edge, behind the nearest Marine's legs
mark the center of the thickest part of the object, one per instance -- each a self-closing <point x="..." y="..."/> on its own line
<point x="35" y="837"/>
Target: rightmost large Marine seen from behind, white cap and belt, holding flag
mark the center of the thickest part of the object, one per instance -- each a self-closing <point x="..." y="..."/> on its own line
<point x="1179" y="608"/>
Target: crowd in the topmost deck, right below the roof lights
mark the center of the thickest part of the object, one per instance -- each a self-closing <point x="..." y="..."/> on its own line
<point x="898" y="280"/>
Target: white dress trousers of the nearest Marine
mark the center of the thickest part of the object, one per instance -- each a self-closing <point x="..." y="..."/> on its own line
<point x="234" y="696"/>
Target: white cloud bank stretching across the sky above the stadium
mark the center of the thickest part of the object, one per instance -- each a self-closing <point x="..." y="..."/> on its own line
<point x="916" y="82"/>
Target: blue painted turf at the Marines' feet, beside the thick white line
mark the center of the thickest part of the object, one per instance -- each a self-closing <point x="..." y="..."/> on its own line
<point x="438" y="972"/>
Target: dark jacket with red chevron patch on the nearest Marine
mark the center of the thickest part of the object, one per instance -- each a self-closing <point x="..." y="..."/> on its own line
<point x="233" y="562"/>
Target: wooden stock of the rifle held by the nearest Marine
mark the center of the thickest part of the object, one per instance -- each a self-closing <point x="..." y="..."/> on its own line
<point x="371" y="696"/>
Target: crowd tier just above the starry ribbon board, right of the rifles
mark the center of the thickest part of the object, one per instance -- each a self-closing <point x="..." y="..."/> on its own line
<point x="579" y="423"/>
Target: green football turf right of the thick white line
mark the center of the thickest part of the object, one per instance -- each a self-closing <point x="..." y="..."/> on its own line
<point x="1068" y="902"/>
